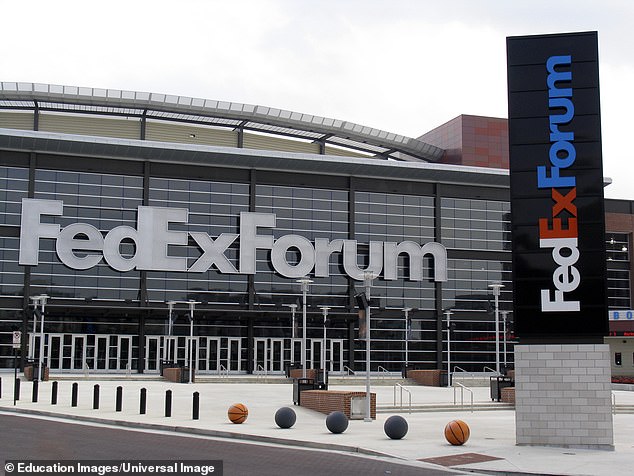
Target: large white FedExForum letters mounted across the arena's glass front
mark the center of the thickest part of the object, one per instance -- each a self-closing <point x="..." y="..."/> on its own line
<point x="82" y="246"/>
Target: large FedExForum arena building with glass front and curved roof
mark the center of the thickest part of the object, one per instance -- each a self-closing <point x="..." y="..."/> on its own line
<point x="136" y="212"/>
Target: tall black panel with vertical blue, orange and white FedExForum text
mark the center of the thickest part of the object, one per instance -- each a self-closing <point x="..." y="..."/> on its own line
<point x="558" y="220"/>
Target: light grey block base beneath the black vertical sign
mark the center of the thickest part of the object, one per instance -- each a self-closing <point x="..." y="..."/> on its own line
<point x="563" y="396"/>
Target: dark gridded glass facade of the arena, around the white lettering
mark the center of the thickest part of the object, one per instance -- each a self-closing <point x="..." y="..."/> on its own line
<point x="113" y="321"/>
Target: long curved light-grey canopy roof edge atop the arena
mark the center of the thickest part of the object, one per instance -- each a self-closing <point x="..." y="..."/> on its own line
<point x="382" y="144"/>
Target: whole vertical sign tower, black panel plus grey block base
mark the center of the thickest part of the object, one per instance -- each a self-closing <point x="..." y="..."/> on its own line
<point x="563" y="387"/>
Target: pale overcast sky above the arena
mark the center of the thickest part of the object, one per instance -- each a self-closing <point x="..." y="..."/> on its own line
<point x="403" y="66"/>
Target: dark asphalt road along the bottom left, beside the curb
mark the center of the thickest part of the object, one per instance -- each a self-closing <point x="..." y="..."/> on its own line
<point x="26" y="438"/>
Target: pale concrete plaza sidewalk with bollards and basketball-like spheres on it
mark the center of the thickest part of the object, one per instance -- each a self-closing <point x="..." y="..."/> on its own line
<point x="491" y="447"/>
